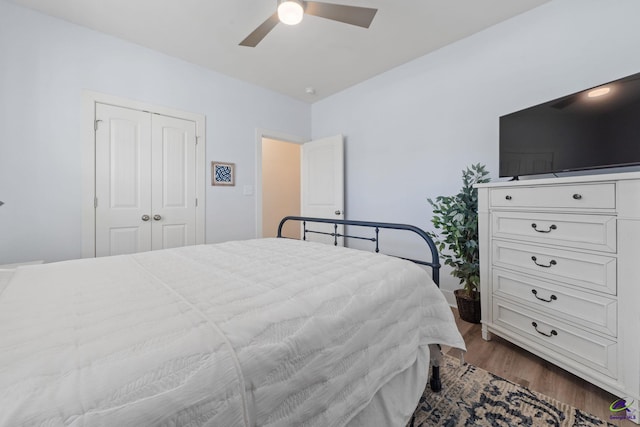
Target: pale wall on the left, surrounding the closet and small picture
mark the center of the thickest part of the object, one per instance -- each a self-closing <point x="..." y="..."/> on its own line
<point x="45" y="63"/>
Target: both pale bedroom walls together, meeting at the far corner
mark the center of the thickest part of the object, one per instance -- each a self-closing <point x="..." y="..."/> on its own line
<point x="409" y="132"/>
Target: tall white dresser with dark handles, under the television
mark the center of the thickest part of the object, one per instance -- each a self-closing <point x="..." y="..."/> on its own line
<point x="560" y="273"/>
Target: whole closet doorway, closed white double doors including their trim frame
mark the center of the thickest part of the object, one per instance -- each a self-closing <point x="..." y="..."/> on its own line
<point x="143" y="177"/>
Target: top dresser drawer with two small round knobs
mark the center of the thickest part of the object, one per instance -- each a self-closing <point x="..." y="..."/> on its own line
<point x="586" y="196"/>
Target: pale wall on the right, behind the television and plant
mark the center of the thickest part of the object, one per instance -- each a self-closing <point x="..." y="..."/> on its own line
<point x="411" y="131"/>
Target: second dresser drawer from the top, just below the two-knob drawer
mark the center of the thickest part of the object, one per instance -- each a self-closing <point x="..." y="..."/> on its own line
<point x="594" y="232"/>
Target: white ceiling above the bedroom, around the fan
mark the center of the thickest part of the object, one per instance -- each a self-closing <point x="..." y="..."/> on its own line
<point x="326" y="55"/>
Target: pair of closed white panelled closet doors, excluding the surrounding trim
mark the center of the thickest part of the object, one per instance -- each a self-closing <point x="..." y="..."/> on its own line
<point x="145" y="181"/>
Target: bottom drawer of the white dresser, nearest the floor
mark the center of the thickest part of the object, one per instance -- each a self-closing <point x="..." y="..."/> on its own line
<point x="596" y="352"/>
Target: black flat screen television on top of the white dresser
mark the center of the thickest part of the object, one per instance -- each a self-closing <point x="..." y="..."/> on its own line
<point x="592" y="129"/>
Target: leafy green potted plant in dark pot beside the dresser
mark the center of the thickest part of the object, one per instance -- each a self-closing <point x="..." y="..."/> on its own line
<point x="456" y="219"/>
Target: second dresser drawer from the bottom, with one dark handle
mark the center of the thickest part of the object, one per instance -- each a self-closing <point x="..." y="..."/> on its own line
<point x="587" y="310"/>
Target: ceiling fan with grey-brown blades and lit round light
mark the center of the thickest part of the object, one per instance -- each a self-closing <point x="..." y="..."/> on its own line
<point x="290" y="12"/>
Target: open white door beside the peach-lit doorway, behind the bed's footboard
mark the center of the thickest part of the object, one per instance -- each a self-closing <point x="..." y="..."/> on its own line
<point x="322" y="185"/>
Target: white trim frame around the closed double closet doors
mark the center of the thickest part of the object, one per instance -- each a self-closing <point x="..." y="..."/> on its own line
<point x="89" y="101"/>
